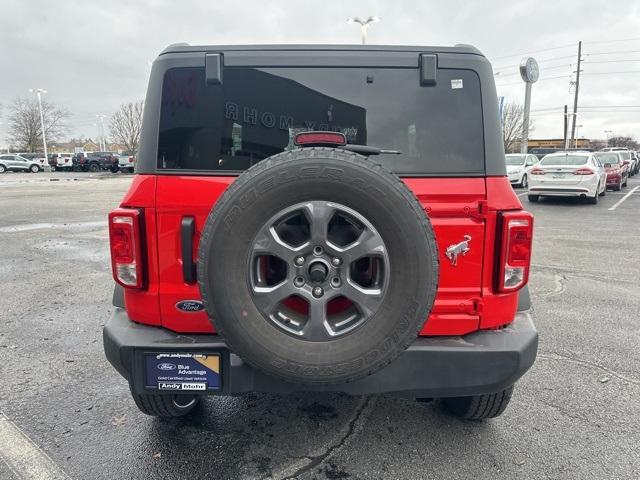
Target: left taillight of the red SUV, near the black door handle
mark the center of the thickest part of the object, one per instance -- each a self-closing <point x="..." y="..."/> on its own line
<point x="126" y="247"/>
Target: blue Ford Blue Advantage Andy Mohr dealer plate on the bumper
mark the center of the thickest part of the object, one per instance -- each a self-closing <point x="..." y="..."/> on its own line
<point x="181" y="371"/>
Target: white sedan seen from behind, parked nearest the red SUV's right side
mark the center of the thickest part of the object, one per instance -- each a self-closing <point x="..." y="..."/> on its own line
<point x="568" y="174"/>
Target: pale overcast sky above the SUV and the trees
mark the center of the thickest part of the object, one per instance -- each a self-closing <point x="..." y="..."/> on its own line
<point x="92" y="56"/>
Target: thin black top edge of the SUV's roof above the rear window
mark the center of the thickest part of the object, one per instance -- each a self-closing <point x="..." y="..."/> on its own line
<point x="186" y="48"/>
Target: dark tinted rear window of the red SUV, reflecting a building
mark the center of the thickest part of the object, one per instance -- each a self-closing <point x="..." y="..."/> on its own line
<point x="256" y="113"/>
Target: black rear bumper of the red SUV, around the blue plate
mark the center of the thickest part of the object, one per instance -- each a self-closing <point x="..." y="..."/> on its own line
<point x="481" y="362"/>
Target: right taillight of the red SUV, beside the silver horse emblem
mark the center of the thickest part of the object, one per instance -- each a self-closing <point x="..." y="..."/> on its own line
<point x="515" y="254"/>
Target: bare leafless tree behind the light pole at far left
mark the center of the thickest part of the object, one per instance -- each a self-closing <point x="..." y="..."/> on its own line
<point x="25" y="129"/>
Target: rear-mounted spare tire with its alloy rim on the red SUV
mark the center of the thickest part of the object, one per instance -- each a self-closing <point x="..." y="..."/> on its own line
<point x="318" y="266"/>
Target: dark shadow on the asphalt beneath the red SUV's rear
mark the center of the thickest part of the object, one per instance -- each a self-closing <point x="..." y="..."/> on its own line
<point x="276" y="436"/>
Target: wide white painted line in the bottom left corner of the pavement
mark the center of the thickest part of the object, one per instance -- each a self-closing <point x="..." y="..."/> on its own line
<point x="23" y="457"/>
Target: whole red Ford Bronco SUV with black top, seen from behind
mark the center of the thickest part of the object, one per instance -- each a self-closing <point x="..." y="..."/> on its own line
<point x="321" y="218"/>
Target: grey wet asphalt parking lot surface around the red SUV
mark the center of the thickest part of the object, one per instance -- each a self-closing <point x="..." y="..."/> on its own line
<point x="574" y="415"/>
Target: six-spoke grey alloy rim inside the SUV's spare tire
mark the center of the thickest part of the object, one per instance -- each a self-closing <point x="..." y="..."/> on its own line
<point x="318" y="270"/>
